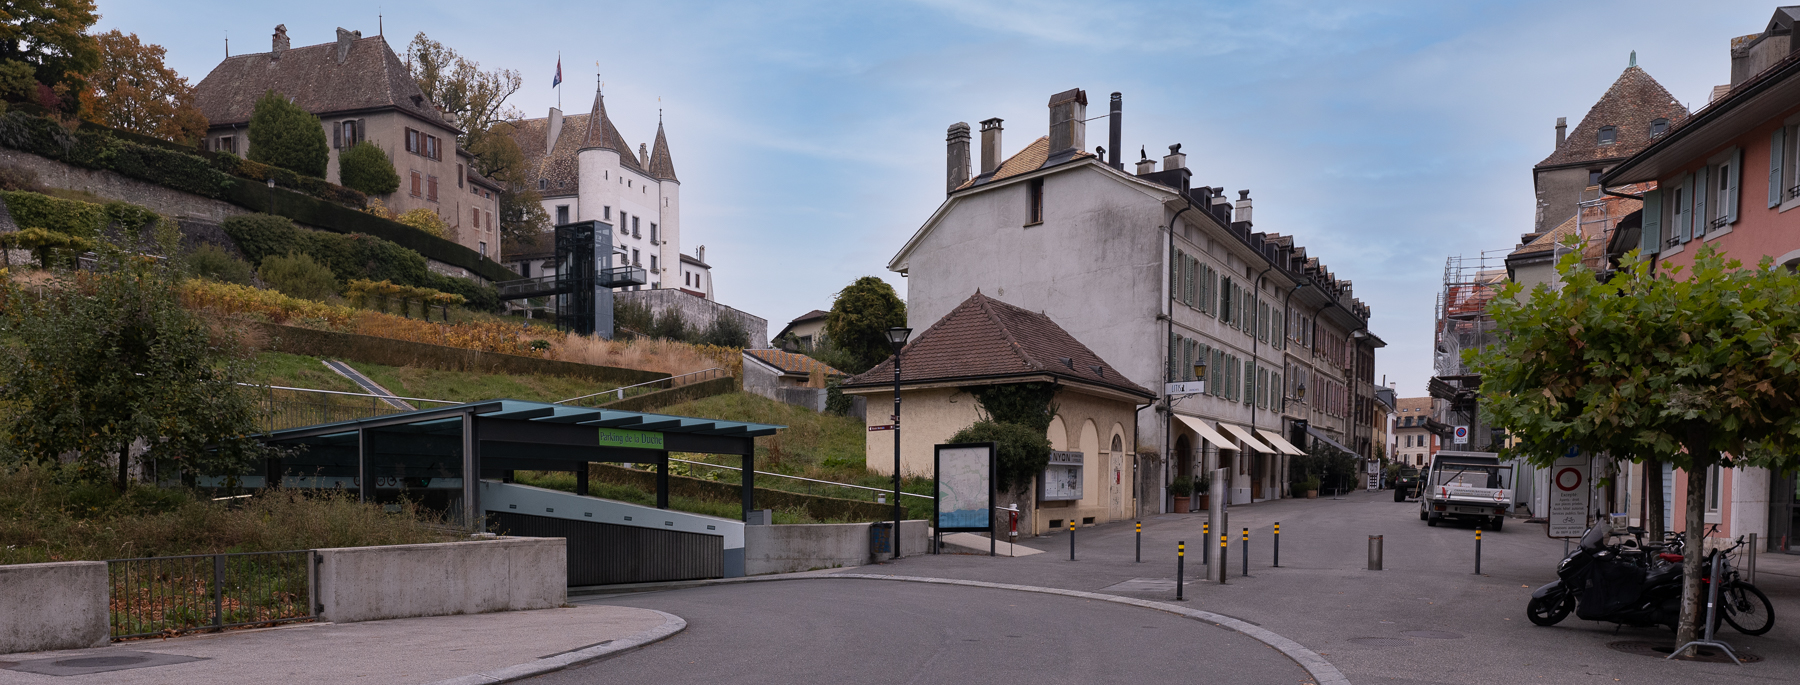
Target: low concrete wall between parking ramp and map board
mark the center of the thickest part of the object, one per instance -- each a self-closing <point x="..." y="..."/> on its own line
<point x="787" y="549"/>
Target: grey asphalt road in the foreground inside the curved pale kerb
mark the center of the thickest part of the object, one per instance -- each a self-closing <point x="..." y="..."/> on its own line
<point x="879" y="632"/>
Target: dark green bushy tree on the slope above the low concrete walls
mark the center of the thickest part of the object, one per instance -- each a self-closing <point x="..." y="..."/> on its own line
<point x="109" y="357"/>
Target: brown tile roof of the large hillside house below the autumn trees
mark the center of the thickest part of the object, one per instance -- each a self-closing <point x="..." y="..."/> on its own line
<point x="314" y="78"/>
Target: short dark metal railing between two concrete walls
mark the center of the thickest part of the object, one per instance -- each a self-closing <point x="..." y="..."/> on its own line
<point x="208" y="592"/>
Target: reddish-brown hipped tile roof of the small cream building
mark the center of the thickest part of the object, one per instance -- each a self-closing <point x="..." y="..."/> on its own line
<point x="991" y="339"/>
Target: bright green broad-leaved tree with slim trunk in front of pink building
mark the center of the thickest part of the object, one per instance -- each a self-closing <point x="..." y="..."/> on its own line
<point x="1700" y="371"/>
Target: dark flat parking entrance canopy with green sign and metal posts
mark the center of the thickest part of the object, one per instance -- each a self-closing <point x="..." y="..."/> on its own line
<point x="440" y="456"/>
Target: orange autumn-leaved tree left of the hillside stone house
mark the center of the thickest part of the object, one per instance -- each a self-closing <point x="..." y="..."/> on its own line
<point x="136" y="93"/>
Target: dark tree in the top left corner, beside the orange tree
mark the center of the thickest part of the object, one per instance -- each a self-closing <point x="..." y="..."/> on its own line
<point x="49" y="39"/>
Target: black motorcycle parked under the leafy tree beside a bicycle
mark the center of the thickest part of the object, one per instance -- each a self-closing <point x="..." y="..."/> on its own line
<point x="1614" y="583"/>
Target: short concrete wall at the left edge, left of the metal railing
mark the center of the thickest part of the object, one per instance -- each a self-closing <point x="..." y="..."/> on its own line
<point x="53" y="607"/>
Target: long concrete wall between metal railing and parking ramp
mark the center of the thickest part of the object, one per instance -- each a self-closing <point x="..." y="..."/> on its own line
<point x="399" y="582"/>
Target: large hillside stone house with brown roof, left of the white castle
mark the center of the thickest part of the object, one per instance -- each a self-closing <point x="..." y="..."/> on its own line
<point x="361" y="91"/>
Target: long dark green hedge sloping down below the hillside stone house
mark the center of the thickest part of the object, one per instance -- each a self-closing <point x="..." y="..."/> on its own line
<point x="213" y="177"/>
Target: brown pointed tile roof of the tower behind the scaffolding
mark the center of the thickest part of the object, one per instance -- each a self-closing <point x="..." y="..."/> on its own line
<point x="1630" y="107"/>
